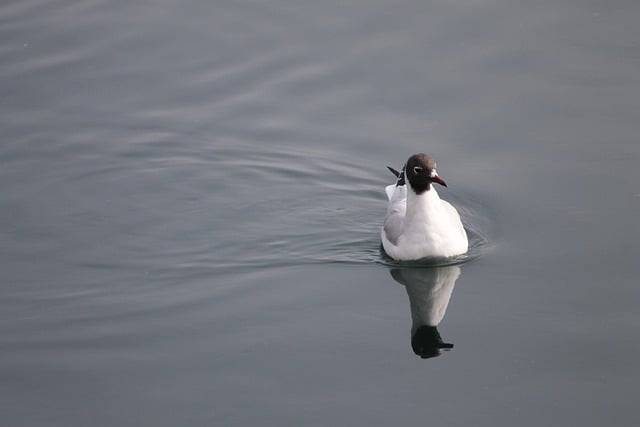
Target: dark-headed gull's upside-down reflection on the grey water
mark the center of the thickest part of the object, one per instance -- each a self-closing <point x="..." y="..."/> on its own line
<point x="429" y="291"/>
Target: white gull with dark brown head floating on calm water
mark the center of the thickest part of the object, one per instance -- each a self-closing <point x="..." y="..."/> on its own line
<point x="418" y="223"/>
